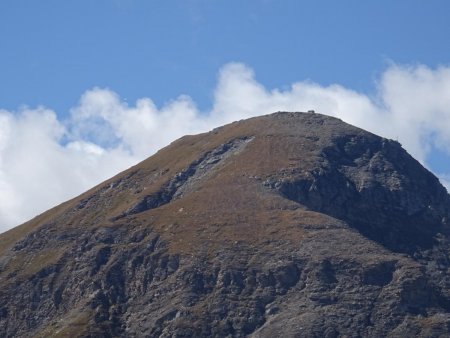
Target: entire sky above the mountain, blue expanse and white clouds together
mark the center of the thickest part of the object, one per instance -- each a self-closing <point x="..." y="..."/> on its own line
<point x="74" y="74"/>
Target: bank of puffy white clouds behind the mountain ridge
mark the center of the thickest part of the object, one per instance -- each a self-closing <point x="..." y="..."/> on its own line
<point x="44" y="160"/>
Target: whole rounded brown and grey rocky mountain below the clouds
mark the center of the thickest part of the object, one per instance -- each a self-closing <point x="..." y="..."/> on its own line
<point x="290" y="224"/>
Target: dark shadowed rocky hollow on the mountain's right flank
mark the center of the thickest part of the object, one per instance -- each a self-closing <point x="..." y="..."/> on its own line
<point x="377" y="188"/>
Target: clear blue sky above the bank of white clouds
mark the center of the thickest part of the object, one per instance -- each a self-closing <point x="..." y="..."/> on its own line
<point x="52" y="50"/>
